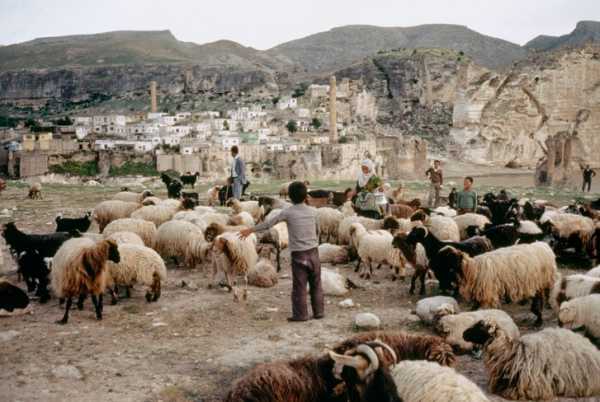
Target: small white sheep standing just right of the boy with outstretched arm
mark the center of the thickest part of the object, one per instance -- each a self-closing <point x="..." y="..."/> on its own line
<point x="374" y="246"/>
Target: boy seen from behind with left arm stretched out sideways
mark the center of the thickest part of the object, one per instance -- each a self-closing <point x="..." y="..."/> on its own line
<point x="303" y="231"/>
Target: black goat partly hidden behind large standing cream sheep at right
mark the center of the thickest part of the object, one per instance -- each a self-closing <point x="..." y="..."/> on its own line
<point x="473" y="246"/>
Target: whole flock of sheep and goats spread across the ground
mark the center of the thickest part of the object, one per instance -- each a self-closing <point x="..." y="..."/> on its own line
<point x="505" y="252"/>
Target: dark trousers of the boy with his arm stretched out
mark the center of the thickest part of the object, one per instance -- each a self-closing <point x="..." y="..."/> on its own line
<point x="306" y="268"/>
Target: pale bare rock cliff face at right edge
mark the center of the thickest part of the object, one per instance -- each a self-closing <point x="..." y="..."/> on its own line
<point x="505" y="117"/>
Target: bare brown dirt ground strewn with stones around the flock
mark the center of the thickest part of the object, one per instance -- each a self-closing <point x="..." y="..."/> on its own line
<point x="190" y="345"/>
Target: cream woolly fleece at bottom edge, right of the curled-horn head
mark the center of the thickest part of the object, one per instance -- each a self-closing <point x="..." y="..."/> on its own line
<point x="423" y="381"/>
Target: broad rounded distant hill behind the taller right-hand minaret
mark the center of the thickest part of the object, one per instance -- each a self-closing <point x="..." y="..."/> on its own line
<point x="341" y="46"/>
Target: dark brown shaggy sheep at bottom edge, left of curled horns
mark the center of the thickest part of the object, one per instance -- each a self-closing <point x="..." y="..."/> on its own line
<point x="306" y="379"/>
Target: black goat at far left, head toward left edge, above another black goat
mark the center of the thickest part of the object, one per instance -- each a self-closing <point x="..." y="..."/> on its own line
<point x="45" y="244"/>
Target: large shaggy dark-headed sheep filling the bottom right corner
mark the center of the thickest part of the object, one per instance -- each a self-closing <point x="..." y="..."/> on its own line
<point x="552" y="363"/>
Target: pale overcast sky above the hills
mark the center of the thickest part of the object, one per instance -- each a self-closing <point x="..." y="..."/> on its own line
<point x="263" y="24"/>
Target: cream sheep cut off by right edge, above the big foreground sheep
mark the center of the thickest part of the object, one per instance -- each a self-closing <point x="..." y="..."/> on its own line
<point x="581" y="313"/>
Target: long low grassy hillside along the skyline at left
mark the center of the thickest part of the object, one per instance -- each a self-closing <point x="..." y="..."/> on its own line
<point x="128" y="47"/>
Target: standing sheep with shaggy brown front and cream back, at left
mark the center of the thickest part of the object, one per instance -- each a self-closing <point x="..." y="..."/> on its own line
<point x="79" y="267"/>
